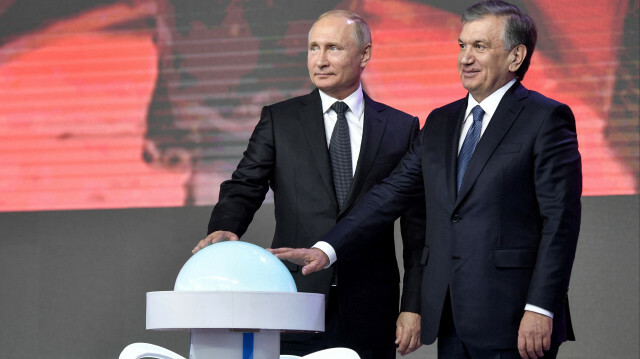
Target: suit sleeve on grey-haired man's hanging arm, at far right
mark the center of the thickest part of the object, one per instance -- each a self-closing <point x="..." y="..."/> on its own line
<point x="558" y="185"/>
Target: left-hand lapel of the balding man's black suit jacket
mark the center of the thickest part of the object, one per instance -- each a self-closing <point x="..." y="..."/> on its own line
<point x="312" y="122"/>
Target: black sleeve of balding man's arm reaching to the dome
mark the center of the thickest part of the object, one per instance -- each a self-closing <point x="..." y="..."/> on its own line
<point x="242" y="195"/>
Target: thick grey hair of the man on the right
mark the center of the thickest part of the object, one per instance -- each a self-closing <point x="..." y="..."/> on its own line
<point x="519" y="28"/>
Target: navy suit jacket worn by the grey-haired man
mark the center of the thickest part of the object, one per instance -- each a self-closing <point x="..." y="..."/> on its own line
<point x="509" y="237"/>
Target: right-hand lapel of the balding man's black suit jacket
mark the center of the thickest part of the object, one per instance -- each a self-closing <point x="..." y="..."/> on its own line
<point x="372" y="134"/>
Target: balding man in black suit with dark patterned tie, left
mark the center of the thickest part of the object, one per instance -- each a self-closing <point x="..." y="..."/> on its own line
<point x="317" y="179"/>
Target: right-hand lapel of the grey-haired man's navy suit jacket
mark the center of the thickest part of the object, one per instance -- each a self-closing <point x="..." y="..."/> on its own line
<point x="507" y="112"/>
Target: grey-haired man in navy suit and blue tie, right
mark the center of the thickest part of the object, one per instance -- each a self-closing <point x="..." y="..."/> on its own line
<point x="501" y="175"/>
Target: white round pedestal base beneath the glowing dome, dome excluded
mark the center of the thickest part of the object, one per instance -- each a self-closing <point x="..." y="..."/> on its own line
<point x="235" y="324"/>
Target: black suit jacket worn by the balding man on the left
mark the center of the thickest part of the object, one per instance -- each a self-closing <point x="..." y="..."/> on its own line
<point x="288" y="152"/>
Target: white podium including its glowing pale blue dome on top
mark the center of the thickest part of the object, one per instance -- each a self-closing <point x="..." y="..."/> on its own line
<point x="235" y="298"/>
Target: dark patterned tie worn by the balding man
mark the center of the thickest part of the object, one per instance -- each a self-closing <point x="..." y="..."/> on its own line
<point x="340" y="152"/>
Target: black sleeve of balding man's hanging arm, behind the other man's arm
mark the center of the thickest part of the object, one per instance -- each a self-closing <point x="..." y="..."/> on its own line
<point x="412" y="229"/>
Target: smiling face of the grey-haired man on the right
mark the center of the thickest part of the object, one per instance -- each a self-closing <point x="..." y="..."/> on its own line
<point x="483" y="64"/>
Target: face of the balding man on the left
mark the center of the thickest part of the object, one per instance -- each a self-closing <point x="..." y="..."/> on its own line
<point x="334" y="61"/>
